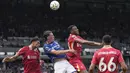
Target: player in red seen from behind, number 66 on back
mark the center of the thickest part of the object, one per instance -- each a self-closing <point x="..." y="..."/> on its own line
<point x="107" y="58"/>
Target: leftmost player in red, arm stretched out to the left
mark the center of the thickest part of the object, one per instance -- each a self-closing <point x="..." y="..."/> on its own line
<point x="31" y="57"/>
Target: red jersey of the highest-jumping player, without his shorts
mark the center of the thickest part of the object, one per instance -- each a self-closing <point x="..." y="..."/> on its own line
<point x="74" y="45"/>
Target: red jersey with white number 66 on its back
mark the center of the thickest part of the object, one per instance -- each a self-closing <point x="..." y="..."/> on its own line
<point x="107" y="60"/>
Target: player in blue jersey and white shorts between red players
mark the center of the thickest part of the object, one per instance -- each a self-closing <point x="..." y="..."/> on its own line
<point x="57" y="54"/>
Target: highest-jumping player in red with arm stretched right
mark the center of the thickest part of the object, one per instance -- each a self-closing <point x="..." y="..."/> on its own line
<point x="74" y="42"/>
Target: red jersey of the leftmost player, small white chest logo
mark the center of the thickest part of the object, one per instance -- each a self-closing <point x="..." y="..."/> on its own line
<point x="30" y="60"/>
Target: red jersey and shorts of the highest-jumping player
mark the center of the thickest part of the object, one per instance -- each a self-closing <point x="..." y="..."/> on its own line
<point x="75" y="59"/>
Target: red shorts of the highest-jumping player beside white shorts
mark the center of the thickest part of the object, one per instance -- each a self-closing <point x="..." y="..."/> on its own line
<point x="78" y="65"/>
